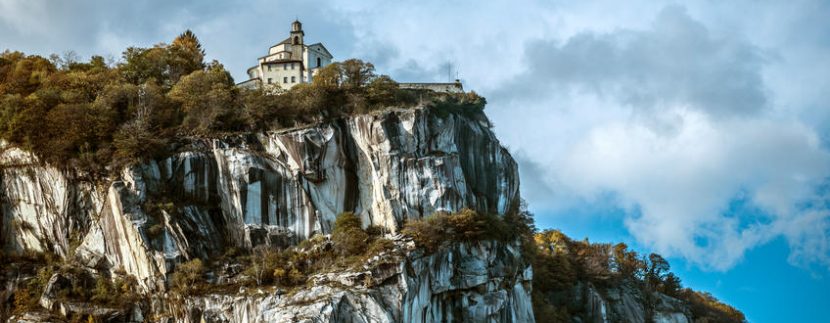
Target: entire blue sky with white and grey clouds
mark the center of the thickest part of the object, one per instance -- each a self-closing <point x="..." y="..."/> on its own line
<point x="698" y="130"/>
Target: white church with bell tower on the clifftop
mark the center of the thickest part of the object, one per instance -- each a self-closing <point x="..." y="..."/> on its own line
<point x="288" y="63"/>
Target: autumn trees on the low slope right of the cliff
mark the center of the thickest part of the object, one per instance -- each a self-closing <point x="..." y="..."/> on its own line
<point x="560" y="264"/>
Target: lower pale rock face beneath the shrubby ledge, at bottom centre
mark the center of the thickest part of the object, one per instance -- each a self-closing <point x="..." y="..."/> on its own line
<point x="468" y="282"/>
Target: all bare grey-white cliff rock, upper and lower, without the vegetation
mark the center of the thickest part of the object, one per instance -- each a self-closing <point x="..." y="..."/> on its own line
<point x="277" y="189"/>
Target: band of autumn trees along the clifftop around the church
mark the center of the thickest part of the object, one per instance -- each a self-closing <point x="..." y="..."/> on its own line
<point x="91" y="115"/>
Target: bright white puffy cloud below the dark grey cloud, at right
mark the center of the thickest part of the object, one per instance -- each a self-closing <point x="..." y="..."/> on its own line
<point x="679" y="186"/>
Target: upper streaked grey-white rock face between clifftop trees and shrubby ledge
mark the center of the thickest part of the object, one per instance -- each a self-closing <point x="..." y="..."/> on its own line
<point x="273" y="188"/>
